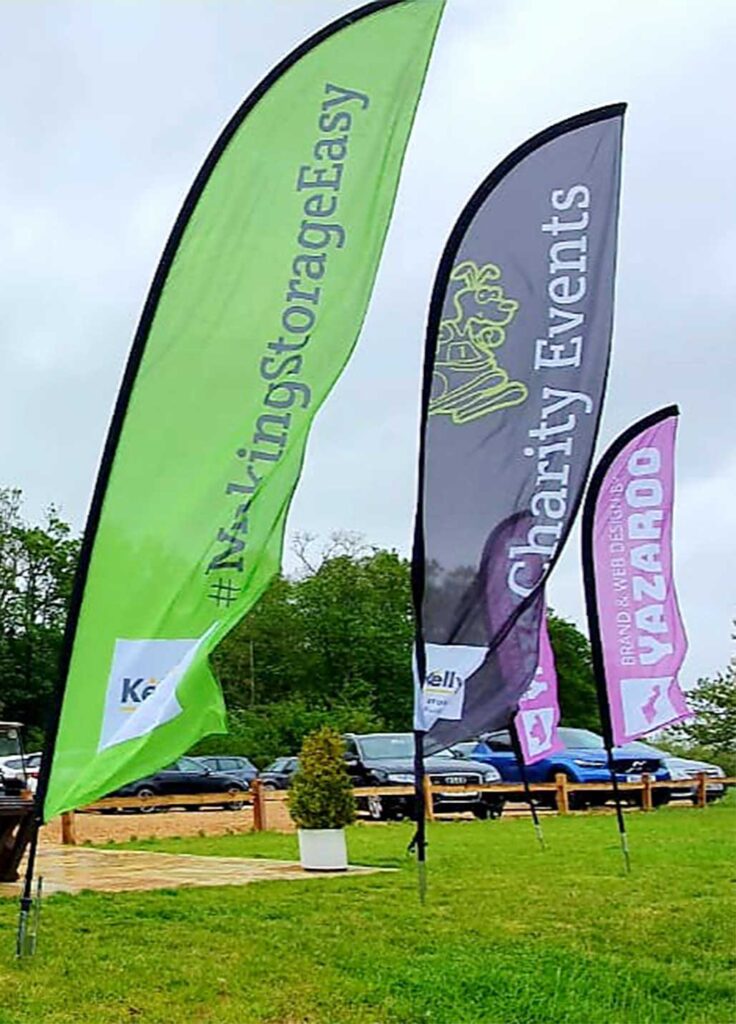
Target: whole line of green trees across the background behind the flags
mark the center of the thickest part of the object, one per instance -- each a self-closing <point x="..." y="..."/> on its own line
<point x="328" y="645"/>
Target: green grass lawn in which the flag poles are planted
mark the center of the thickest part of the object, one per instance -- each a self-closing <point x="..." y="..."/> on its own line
<point x="509" y="935"/>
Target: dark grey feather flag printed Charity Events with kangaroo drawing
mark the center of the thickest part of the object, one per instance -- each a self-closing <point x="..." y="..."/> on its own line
<point x="518" y="344"/>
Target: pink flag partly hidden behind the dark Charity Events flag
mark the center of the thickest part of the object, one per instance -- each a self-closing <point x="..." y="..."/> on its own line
<point x="539" y="713"/>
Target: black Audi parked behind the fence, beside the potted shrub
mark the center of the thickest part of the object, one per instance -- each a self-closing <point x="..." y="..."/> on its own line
<point x="387" y="759"/>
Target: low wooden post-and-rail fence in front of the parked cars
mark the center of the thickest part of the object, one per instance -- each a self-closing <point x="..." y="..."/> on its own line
<point x="259" y="798"/>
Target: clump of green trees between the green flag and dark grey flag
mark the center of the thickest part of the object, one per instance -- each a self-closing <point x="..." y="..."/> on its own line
<point x="339" y="636"/>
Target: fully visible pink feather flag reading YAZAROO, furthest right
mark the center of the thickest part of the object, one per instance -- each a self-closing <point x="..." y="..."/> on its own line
<point x="637" y="633"/>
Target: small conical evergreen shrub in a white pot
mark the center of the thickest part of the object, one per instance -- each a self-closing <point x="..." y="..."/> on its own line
<point x="322" y="802"/>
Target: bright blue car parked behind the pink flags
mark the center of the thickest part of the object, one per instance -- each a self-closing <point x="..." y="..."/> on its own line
<point x="583" y="760"/>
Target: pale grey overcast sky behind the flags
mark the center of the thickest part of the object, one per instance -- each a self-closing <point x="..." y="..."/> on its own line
<point x="108" y="109"/>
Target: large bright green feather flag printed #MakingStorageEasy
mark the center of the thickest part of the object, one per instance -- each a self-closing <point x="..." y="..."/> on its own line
<point x="253" y="315"/>
